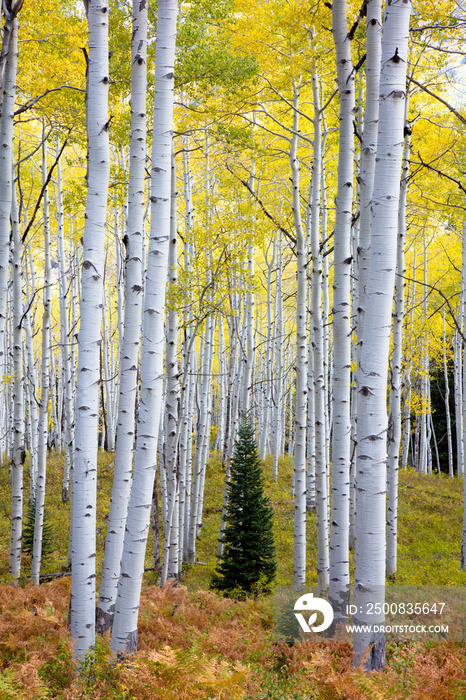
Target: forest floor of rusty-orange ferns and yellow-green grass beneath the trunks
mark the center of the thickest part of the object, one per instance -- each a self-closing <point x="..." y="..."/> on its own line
<point x="194" y="643"/>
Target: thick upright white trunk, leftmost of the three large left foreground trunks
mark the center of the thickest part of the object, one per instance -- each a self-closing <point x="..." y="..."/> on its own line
<point x="82" y="607"/>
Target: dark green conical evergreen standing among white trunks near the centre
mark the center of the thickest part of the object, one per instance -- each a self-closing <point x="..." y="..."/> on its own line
<point x="248" y="564"/>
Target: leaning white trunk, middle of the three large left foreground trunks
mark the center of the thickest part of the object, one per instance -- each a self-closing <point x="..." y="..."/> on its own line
<point x="129" y="343"/>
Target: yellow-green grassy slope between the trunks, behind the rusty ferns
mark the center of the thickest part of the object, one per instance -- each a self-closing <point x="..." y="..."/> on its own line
<point x="429" y="524"/>
